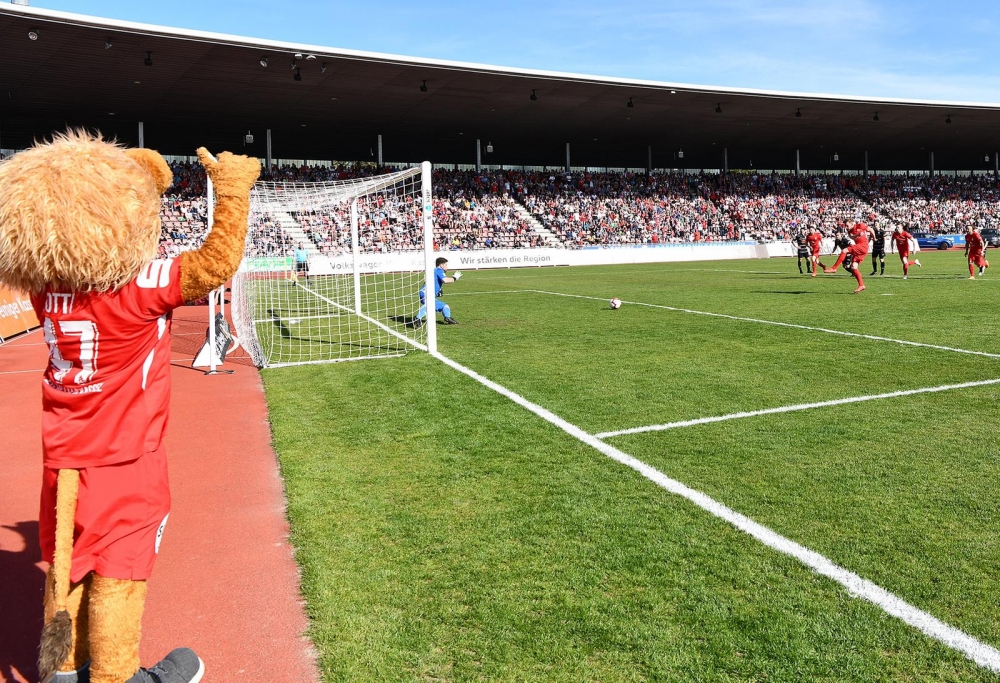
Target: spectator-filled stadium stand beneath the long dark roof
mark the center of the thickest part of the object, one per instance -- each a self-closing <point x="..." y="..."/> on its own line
<point x="492" y="209"/>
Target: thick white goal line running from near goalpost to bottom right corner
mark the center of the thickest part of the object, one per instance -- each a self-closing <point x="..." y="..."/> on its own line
<point x="982" y="654"/>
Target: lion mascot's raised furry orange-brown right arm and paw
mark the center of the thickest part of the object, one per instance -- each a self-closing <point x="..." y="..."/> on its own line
<point x="205" y="269"/>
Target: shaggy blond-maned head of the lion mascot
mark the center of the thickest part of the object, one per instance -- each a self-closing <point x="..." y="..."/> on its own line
<point x="79" y="214"/>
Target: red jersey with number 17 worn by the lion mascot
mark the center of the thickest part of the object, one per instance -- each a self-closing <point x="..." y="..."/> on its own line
<point x="106" y="391"/>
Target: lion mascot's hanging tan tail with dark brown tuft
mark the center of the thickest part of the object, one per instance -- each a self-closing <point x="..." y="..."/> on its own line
<point x="57" y="636"/>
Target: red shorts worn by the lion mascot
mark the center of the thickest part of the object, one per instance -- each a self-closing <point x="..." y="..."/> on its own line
<point x="120" y="516"/>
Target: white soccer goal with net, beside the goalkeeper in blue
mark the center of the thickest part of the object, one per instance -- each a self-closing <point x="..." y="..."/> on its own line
<point x="333" y="270"/>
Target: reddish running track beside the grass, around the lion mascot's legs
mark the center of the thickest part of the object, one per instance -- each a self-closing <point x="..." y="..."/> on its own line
<point x="225" y="582"/>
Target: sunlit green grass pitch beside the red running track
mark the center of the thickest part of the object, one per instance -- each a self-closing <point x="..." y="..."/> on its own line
<point x="447" y="534"/>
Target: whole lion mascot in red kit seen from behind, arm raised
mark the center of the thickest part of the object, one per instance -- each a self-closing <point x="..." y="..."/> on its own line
<point x="79" y="226"/>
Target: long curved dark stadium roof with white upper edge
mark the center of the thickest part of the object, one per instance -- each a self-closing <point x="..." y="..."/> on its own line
<point x="211" y="89"/>
